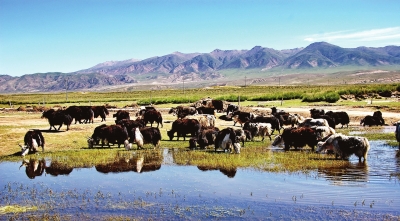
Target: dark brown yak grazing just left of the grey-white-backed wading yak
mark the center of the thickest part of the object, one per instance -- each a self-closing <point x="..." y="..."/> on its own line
<point x="297" y="137"/>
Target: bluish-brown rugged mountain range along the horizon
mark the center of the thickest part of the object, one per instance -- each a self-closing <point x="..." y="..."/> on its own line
<point x="216" y="66"/>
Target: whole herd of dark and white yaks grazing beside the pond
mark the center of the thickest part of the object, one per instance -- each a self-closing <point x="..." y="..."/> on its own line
<point x="198" y="120"/>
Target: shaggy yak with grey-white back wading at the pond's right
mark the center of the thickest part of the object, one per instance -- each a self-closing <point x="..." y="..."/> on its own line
<point x="344" y="146"/>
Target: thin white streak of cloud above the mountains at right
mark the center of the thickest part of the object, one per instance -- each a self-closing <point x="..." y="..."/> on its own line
<point x="383" y="34"/>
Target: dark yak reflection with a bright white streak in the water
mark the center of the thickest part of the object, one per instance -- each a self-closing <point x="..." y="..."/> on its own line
<point x="139" y="164"/>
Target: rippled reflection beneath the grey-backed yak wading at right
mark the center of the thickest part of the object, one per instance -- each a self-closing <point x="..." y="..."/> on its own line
<point x="355" y="172"/>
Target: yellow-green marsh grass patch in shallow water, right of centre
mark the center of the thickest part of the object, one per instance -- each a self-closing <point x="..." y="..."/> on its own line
<point x="259" y="158"/>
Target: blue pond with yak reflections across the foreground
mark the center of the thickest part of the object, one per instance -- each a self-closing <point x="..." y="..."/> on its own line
<point x="154" y="187"/>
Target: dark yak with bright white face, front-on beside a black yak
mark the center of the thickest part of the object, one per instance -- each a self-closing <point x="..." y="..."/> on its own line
<point x="146" y="135"/>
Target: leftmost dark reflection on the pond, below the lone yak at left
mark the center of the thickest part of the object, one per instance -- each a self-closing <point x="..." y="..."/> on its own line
<point x="35" y="167"/>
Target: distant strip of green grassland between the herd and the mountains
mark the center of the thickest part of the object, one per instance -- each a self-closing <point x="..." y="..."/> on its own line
<point x="309" y="93"/>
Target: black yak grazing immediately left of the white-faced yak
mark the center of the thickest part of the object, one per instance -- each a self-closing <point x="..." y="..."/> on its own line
<point x="114" y="134"/>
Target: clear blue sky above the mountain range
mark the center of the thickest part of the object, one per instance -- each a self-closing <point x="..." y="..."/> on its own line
<point x="70" y="35"/>
